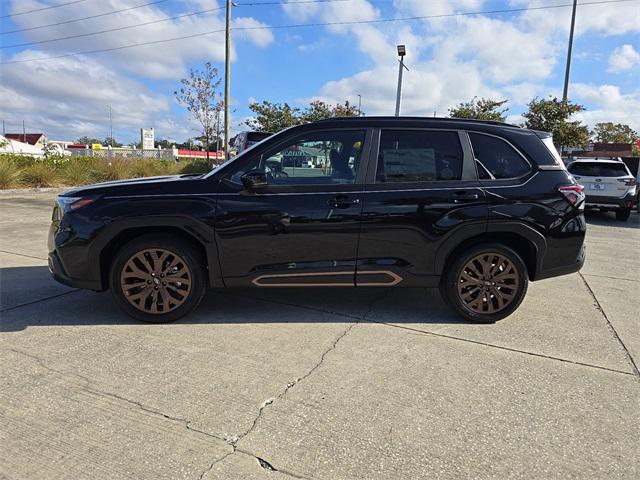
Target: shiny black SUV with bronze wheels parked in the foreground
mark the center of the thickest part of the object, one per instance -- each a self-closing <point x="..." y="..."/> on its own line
<point x="476" y="208"/>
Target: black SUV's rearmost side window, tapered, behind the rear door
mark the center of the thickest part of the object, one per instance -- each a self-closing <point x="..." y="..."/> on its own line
<point x="496" y="159"/>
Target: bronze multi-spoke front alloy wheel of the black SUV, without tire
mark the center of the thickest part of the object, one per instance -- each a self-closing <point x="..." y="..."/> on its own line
<point x="156" y="281"/>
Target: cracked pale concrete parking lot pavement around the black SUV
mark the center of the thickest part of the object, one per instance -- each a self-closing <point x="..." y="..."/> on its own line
<point x="322" y="384"/>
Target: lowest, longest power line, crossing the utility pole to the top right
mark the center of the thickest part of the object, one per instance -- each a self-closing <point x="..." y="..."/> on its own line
<point x="306" y="25"/>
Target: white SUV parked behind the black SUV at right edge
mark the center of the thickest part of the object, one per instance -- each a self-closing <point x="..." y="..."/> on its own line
<point x="609" y="185"/>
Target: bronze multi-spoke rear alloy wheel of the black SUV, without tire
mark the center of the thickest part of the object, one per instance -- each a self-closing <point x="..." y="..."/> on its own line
<point x="488" y="283"/>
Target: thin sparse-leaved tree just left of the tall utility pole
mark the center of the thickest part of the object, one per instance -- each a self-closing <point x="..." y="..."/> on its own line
<point x="199" y="94"/>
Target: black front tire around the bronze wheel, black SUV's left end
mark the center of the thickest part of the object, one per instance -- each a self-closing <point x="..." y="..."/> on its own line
<point x="191" y="271"/>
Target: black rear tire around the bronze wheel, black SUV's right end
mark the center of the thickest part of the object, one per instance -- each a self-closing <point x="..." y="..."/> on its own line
<point x="452" y="279"/>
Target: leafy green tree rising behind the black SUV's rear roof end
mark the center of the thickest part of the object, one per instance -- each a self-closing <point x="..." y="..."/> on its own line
<point x="554" y="116"/>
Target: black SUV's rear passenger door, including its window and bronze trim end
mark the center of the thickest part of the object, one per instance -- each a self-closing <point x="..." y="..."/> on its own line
<point x="421" y="197"/>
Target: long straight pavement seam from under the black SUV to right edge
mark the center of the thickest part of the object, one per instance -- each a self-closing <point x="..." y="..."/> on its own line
<point x="442" y="335"/>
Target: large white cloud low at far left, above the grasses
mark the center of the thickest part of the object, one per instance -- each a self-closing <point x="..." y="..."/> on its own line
<point x="69" y="96"/>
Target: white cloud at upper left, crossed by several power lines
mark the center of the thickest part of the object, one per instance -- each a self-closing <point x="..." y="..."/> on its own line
<point x="161" y="60"/>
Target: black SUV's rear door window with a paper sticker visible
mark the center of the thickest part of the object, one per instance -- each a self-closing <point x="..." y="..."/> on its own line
<point x="419" y="156"/>
